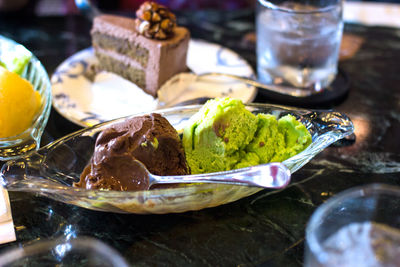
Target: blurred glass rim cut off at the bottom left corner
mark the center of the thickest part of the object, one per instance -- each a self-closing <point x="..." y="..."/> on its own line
<point x="80" y="251"/>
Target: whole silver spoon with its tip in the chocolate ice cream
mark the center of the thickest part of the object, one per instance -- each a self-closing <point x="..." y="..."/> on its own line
<point x="271" y="175"/>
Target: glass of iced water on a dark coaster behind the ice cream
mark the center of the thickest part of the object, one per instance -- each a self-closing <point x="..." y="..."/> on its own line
<point x="298" y="43"/>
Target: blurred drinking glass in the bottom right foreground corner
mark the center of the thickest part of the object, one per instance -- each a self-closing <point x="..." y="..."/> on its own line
<point x="358" y="227"/>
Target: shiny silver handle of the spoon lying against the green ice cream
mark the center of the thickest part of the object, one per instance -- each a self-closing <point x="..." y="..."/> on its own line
<point x="271" y="175"/>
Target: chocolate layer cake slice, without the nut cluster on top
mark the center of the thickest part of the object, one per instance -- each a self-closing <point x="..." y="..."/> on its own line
<point x="165" y="58"/>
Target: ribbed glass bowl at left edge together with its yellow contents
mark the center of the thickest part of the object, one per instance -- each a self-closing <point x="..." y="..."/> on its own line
<point x="25" y="100"/>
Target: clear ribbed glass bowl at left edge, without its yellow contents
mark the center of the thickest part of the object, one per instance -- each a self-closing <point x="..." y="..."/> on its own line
<point x="34" y="72"/>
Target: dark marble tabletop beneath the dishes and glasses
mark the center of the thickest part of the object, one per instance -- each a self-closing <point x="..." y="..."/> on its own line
<point x="266" y="229"/>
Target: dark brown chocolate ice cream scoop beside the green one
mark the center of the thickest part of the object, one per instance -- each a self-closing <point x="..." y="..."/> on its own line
<point x="150" y="139"/>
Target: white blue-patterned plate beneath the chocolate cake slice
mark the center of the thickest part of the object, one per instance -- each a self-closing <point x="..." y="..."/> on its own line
<point x="87" y="98"/>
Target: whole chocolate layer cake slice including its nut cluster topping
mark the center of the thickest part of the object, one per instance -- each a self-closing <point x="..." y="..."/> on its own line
<point x="147" y="51"/>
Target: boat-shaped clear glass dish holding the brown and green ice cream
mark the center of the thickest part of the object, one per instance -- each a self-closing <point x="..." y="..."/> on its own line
<point x="51" y="170"/>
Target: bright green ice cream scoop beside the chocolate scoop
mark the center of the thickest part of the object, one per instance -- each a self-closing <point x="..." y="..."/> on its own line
<point x="223" y="135"/>
